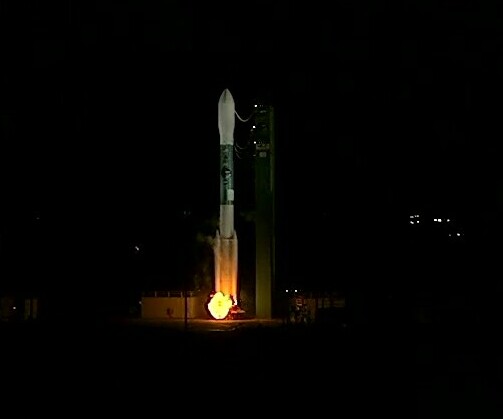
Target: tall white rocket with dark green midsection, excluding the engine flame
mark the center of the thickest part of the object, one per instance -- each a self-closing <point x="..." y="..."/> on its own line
<point x="226" y="238"/>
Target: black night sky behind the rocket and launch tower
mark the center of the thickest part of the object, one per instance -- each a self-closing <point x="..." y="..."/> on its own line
<point x="110" y="141"/>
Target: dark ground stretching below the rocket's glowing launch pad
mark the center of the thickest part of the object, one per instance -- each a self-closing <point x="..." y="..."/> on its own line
<point x="300" y="369"/>
